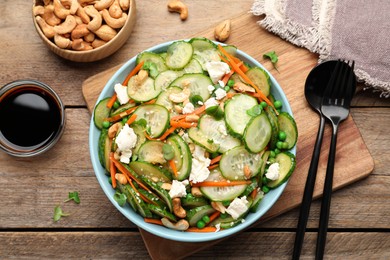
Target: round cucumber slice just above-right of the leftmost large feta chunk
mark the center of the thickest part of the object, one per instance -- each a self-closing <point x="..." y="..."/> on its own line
<point x="156" y="116"/>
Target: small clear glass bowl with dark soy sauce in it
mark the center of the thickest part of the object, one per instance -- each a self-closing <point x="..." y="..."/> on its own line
<point x="32" y="118"/>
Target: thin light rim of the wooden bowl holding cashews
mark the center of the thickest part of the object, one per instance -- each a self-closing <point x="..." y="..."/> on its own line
<point x="131" y="15"/>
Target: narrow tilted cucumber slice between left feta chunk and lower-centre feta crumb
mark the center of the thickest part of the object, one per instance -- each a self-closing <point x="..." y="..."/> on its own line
<point x="150" y="171"/>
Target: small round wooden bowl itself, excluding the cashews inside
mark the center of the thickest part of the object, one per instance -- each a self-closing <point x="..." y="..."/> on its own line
<point x="95" y="54"/>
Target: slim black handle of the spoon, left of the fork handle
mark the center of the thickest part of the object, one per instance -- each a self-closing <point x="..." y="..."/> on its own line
<point x="308" y="192"/>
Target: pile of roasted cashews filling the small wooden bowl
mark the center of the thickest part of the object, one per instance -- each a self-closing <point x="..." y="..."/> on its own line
<point x="81" y="24"/>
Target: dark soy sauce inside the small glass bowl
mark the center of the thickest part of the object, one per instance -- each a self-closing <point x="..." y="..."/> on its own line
<point x="30" y="117"/>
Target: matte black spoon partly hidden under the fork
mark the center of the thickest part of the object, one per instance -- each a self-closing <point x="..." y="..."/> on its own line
<point x="315" y="85"/>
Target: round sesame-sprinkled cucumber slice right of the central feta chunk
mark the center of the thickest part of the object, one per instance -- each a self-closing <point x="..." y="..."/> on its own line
<point x="233" y="162"/>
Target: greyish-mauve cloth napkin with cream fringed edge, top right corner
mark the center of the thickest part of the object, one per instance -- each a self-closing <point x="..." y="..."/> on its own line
<point x="348" y="29"/>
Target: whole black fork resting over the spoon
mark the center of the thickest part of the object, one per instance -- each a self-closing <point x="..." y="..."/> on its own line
<point x="335" y="107"/>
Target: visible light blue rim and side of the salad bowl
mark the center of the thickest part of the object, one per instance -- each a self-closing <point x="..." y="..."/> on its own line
<point x="267" y="202"/>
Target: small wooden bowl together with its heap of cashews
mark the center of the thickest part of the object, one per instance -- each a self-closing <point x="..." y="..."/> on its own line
<point x="84" y="30"/>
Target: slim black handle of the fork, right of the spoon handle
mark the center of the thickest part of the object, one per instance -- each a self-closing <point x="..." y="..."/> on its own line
<point x="327" y="193"/>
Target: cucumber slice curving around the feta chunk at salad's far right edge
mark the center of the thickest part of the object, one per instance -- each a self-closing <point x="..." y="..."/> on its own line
<point x="287" y="165"/>
